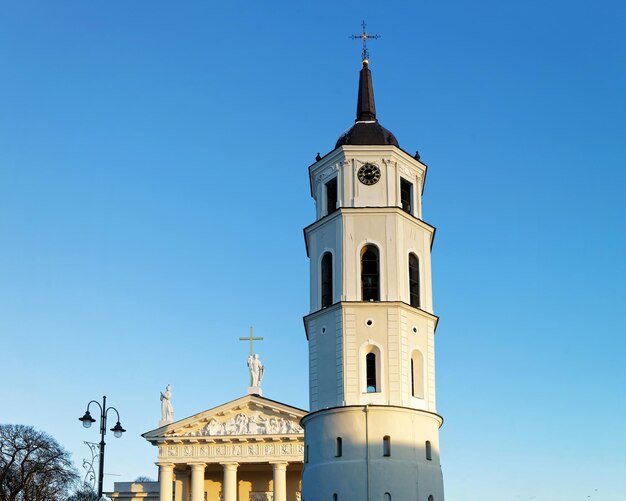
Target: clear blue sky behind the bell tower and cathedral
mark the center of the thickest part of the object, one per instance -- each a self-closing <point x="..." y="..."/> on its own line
<point x="153" y="191"/>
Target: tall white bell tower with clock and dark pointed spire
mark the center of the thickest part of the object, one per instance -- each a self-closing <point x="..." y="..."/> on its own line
<point x="373" y="430"/>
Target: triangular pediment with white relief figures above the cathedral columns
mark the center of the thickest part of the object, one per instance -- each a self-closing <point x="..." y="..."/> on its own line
<point x="248" y="416"/>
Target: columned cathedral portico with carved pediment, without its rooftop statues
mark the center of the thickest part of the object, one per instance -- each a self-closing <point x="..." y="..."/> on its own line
<point x="248" y="449"/>
